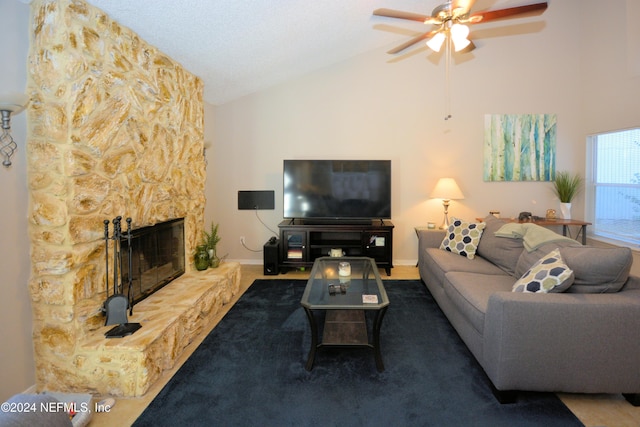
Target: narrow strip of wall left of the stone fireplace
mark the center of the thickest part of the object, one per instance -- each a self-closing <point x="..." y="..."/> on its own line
<point x="16" y="349"/>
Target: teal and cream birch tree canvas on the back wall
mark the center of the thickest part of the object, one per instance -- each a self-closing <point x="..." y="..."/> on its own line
<point x="519" y="147"/>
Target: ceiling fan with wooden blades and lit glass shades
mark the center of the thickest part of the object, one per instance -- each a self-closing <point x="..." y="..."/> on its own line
<point x="452" y="19"/>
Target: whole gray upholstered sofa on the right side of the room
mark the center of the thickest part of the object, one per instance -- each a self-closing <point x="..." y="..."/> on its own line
<point x="585" y="339"/>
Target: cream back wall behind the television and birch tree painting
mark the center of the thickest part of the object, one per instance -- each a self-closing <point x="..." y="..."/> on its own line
<point x="376" y="107"/>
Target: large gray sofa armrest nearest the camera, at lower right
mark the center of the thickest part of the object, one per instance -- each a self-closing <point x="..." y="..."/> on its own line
<point x="583" y="343"/>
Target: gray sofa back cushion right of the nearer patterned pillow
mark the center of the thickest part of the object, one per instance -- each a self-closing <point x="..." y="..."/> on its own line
<point x="598" y="270"/>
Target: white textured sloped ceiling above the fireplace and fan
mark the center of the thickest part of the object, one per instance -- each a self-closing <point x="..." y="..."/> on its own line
<point x="239" y="47"/>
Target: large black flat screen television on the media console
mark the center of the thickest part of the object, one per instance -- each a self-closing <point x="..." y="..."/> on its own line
<point x="337" y="189"/>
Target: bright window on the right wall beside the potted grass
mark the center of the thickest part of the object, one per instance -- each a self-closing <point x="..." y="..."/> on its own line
<point x="613" y="186"/>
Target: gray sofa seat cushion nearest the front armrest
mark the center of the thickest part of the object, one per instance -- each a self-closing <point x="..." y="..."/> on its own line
<point x="470" y="292"/>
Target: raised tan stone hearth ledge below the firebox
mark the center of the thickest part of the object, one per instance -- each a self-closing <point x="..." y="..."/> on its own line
<point x="171" y="318"/>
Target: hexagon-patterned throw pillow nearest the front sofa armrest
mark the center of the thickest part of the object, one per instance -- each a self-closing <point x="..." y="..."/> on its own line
<point x="549" y="274"/>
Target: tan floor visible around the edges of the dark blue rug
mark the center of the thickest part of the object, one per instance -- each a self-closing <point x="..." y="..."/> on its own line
<point x="592" y="410"/>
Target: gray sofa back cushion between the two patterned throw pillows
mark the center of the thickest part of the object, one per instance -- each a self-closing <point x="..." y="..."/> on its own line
<point x="501" y="251"/>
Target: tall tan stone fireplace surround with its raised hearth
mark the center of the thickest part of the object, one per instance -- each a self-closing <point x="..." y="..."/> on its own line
<point x="115" y="127"/>
